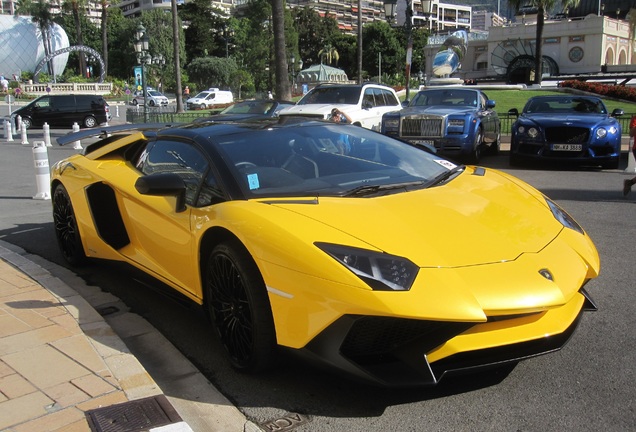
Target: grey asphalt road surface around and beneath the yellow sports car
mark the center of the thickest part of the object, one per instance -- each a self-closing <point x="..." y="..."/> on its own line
<point x="587" y="386"/>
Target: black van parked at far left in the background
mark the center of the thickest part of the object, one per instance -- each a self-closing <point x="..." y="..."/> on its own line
<point x="62" y="111"/>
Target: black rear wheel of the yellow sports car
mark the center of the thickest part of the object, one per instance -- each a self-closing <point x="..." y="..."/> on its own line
<point x="66" y="231"/>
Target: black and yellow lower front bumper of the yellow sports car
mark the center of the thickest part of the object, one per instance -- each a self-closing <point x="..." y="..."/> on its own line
<point x="397" y="352"/>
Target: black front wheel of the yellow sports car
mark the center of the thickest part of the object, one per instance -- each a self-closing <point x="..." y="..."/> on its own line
<point x="238" y="305"/>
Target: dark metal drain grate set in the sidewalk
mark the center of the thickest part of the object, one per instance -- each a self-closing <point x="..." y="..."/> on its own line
<point x="133" y="416"/>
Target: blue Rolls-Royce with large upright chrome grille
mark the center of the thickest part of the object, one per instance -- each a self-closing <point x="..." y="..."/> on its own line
<point x="460" y="123"/>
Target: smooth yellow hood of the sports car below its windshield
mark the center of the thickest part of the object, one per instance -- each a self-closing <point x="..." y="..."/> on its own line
<point x="472" y="220"/>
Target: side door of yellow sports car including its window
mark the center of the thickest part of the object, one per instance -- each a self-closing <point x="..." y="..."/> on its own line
<point x="163" y="237"/>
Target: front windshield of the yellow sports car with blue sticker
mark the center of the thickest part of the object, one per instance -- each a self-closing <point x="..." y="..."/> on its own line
<point x="326" y="160"/>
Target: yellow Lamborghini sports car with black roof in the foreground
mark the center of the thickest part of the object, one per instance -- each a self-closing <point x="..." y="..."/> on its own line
<point x="377" y="257"/>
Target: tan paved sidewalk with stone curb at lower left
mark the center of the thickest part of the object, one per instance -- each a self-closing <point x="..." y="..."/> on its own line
<point x="63" y="368"/>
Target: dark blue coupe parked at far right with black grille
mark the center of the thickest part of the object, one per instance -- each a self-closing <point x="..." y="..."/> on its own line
<point x="566" y="128"/>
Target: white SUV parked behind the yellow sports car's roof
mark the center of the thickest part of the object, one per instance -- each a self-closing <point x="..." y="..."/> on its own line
<point x="364" y="104"/>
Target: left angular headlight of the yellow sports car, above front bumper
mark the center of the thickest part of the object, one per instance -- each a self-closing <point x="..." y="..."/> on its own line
<point x="382" y="272"/>
